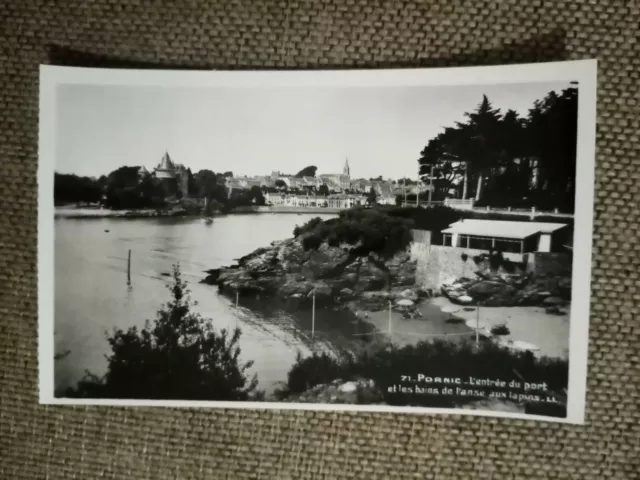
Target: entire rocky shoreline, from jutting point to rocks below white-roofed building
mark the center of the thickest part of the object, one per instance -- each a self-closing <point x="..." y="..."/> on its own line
<point x="342" y="276"/>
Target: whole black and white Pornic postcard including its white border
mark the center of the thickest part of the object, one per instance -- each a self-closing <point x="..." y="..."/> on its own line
<point x="406" y="240"/>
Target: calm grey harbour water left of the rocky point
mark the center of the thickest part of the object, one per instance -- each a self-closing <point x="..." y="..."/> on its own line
<point x="92" y="297"/>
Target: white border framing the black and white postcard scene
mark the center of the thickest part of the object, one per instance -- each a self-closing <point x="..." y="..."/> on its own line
<point x="582" y="71"/>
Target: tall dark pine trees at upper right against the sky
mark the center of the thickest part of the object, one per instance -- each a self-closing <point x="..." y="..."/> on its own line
<point x="504" y="160"/>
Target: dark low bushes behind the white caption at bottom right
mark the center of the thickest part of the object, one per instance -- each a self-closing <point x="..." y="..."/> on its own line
<point x="440" y="358"/>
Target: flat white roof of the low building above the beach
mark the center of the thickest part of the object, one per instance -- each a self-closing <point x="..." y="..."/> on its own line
<point x="501" y="228"/>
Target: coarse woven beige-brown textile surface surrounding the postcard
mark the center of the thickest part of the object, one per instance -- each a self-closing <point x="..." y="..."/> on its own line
<point x="83" y="443"/>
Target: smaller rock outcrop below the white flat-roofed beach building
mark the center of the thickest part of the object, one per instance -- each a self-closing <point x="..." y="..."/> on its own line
<point x="506" y="290"/>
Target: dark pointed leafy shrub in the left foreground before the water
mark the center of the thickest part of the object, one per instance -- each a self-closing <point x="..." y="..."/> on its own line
<point x="177" y="356"/>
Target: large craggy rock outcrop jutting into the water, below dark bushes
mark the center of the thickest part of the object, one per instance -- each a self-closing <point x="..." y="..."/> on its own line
<point x="337" y="274"/>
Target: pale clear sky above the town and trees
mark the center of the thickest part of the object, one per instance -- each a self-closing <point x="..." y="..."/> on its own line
<point x="381" y="130"/>
